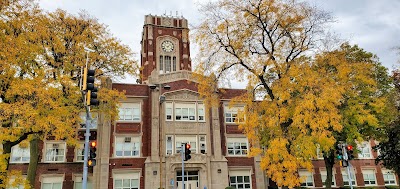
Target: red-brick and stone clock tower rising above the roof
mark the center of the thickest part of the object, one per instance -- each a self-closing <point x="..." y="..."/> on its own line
<point x="164" y="46"/>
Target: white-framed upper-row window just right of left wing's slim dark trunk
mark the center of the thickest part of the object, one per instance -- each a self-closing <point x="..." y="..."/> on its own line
<point x="49" y="146"/>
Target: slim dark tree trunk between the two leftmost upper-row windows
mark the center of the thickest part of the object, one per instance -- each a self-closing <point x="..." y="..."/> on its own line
<point x="33" y="162"/>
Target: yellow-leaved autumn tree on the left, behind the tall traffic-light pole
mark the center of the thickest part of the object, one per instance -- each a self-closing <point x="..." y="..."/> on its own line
<point x="41" y="56"/>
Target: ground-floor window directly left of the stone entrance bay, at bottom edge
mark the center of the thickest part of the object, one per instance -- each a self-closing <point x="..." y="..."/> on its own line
<point x="126" y="181"/>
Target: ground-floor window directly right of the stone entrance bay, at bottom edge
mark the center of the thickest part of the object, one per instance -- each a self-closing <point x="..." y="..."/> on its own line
<point x="240" y="179"/>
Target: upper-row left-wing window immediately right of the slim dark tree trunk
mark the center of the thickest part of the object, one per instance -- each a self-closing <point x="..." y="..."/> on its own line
<point x="55" y="152"/>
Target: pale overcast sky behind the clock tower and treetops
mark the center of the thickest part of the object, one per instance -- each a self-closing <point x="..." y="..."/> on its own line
<point x="372" y="24"/>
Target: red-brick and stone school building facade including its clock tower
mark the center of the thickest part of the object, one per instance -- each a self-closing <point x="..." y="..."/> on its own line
<point x="141" y="149"/>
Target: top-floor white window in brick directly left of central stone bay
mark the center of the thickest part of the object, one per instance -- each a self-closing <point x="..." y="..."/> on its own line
<point x="130" y="112"/>
